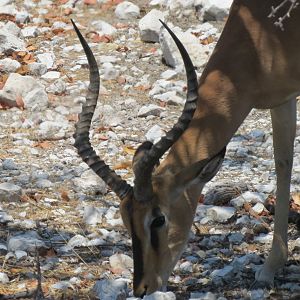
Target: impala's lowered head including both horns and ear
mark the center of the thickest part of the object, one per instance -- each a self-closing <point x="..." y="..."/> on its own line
<point x="158" y="211"/>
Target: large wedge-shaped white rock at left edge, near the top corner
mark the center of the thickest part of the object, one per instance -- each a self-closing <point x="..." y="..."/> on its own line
<point x="9" y="42"/>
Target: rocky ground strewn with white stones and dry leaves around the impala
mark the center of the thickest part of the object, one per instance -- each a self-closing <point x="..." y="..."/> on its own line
<point x="59" y="224"/>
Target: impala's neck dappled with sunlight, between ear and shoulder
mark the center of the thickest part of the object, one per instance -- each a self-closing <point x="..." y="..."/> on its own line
<point x="218" y="115"/>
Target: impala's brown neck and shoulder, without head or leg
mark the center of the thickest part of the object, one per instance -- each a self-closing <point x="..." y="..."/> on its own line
<point x="253" y="66"/>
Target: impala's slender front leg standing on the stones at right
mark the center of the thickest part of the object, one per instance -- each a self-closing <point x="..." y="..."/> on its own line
<point x="284" y="129"/>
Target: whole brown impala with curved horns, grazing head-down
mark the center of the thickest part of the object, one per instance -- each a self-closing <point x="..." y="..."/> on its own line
<point x="254" y="65"/>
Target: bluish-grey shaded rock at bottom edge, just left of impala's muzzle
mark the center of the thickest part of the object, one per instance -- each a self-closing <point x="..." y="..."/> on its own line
<point x="110" y="289"/>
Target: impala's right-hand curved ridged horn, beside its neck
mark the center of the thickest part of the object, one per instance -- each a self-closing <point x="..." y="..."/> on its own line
<point x="146" y="164"/>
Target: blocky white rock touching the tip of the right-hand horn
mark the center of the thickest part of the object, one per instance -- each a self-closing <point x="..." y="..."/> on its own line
<point x="150" y="26"/>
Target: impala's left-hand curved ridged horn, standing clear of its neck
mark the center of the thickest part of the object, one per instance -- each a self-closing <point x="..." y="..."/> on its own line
<point x="82" y="127"/>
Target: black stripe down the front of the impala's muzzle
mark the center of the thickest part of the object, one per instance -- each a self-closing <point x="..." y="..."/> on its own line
<point x="138" y="265"/>
